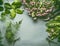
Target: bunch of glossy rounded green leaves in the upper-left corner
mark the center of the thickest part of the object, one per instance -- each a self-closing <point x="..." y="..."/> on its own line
<point x="10" y="9"/>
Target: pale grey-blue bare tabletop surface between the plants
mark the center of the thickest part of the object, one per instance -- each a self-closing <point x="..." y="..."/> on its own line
<point x="32" y="33"/>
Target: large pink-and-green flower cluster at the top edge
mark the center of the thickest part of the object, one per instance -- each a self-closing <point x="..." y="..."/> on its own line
<point x="38" y="9"/>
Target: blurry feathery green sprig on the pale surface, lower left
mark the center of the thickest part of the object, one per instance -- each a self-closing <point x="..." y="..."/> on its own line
<point x="11" y="32"/>
